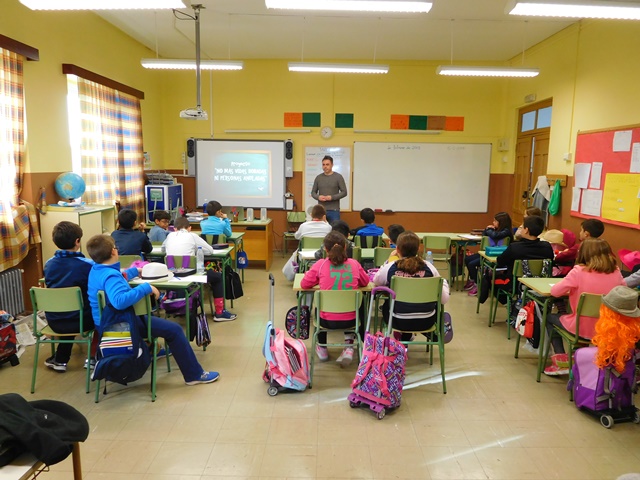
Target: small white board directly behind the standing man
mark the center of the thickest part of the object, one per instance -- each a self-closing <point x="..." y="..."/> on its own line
<point x="313" y="167"/>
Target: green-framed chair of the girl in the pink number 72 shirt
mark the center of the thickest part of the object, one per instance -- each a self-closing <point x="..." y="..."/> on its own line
<point x="335" y="301"/>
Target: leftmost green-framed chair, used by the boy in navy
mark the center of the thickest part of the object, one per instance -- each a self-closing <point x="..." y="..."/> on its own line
<point x="67" y="299"/>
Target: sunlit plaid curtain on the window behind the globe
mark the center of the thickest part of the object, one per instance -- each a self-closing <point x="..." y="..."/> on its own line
<point x="111" y="146"/>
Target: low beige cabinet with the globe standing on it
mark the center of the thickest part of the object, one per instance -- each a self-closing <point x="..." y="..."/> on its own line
<point x="93" y="219"/>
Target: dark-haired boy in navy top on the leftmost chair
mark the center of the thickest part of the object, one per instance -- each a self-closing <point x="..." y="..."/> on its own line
<point x="68" y="268"/>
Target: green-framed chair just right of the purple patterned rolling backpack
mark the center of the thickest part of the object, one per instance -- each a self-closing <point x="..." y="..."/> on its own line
<point x="423" y="290"/>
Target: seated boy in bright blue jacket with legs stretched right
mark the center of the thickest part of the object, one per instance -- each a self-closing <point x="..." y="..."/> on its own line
<point x="105" y="275"/>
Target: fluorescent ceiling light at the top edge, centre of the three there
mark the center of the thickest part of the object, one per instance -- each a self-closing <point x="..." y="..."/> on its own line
<point x="414" y="6"/>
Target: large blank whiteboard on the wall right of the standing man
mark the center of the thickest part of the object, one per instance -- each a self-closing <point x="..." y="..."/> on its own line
<point x="421" y="177"/>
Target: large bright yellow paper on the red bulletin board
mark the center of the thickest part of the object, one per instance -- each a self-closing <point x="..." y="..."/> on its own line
<point x="620" y="201"/>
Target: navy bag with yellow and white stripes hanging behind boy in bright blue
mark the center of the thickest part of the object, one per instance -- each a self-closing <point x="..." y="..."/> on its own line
<point x="123" y="356"/>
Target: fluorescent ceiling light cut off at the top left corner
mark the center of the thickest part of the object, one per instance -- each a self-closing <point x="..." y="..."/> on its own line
<point x="102" y="4"/>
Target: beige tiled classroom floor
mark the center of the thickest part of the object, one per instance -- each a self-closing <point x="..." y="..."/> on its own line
<point x="495" y="422"/>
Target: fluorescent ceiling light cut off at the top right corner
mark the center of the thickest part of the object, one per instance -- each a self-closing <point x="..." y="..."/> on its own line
<point x="576" y="8"/>
